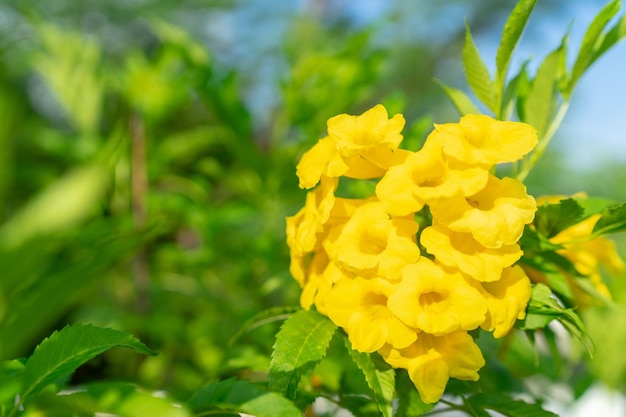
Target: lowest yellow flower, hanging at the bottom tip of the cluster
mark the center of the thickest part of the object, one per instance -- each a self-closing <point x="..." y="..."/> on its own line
<point x="432" y="360"/>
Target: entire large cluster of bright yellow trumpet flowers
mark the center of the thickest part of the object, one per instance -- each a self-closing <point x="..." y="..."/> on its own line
<point x="408" y="271"/>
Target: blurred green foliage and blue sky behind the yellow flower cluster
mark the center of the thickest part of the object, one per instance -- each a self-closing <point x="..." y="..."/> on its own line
<point x="147" y="154"/>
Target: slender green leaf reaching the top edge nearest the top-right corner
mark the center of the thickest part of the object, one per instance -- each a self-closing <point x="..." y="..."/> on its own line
<point x="592" y="43"/>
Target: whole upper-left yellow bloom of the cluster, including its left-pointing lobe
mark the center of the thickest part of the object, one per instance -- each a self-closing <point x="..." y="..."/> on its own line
<point x="356" y="147"/>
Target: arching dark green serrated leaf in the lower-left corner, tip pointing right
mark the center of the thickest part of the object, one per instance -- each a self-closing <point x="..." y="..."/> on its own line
<point x="67" y="349"/>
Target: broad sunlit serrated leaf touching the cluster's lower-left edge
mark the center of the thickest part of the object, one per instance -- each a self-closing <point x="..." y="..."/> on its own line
<point x="300" y="344"/>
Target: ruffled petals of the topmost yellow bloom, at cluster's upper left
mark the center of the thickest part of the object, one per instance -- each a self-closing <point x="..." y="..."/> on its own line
<point x="355" y="134"/>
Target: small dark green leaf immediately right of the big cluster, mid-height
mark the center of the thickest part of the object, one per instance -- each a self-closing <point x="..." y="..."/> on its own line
<point x="553" y="218"/>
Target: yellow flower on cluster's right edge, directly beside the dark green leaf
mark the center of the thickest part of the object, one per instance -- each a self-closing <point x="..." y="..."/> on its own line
<point x="495" y="216"/>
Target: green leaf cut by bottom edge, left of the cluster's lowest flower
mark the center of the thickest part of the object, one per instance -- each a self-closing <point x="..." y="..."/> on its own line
<point x="242" y="396"/>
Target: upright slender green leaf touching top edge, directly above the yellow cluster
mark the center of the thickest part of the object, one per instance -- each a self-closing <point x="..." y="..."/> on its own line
<point x="511" y="34"/>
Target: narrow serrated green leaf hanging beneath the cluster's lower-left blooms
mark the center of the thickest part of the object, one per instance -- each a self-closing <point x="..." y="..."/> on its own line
<point x="380" y="378"/>
